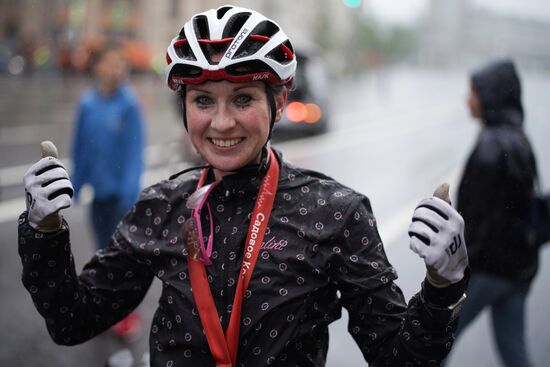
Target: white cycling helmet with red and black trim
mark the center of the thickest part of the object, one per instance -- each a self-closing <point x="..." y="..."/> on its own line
<point x="249" y="46"/>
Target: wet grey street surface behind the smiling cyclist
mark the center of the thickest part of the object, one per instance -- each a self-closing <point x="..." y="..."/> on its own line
<point x="395" y="135"/>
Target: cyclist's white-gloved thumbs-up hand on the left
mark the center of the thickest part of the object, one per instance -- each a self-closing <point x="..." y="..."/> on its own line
<point x="47" y="190"/>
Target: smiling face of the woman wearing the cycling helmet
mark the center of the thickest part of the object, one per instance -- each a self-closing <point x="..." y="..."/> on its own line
<point x="229" y="123"/>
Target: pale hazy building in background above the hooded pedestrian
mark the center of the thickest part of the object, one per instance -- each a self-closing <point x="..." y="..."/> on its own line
<point x="455" y="32"/>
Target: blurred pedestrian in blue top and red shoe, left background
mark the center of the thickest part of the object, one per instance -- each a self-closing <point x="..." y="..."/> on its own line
<point x="108" y="151"/>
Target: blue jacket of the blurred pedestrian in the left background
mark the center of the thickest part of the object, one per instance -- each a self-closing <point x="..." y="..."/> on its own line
<point x="108" y="145"/>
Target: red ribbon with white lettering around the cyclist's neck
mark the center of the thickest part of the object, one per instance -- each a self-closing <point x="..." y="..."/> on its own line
<point x="224" y="347"/>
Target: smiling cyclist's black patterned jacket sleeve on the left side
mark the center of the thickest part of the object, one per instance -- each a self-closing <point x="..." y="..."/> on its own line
<point x="78" y="307"/>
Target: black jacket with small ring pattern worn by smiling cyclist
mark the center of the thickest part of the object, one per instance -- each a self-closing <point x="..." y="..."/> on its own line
<point x="321" y="252"/>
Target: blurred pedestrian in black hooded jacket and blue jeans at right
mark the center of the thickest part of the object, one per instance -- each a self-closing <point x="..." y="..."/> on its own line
<point x="494" y="198"/>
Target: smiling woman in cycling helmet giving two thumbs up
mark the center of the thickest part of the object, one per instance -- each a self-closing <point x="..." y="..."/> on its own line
<point x="250" y="249"/>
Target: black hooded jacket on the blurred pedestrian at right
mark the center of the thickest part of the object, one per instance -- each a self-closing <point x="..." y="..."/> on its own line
<point x="497" y="184"/>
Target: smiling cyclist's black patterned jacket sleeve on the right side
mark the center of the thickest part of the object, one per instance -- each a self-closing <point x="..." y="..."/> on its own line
<point x="387" y="330"/>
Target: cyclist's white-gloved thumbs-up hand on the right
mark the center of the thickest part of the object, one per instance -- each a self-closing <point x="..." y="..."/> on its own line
<point x="437" y="235"/>
